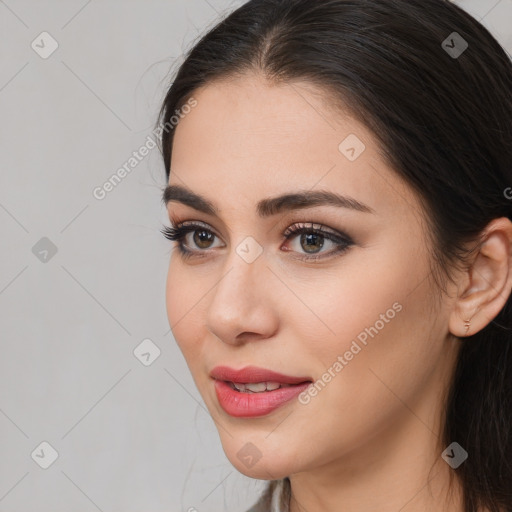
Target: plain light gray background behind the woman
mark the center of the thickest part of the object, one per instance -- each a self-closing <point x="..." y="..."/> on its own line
<point x="129" y="437"/>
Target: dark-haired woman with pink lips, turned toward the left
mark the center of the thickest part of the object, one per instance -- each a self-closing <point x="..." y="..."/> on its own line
<point x="339" y="194"/>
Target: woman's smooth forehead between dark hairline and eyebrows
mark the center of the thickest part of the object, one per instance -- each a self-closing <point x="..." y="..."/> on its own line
<point x="247" y="138"/>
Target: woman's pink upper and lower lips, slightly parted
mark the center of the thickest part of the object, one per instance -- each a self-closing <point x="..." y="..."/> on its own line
<point x="247" y="405"/>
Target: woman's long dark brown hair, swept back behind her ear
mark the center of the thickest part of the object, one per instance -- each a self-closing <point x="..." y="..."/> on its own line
<point x="444" y="124"/>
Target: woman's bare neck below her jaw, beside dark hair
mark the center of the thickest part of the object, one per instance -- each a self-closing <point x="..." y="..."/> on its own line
<point x="400" y="471"/>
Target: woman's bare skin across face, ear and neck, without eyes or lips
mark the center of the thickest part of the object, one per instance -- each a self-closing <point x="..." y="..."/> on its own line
<point x="370" y="439"/>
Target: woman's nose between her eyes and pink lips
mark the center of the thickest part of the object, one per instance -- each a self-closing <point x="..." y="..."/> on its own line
<point x="243" y="304"/>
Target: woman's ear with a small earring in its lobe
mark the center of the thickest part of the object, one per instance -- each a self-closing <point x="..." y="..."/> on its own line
<point x="486" y="285"/>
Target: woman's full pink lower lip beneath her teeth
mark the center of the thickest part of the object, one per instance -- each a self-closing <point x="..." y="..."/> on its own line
<point x="248" y="405"/>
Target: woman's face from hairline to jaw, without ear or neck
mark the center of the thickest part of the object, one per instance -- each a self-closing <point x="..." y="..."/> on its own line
<point x="354" y="313"/>
